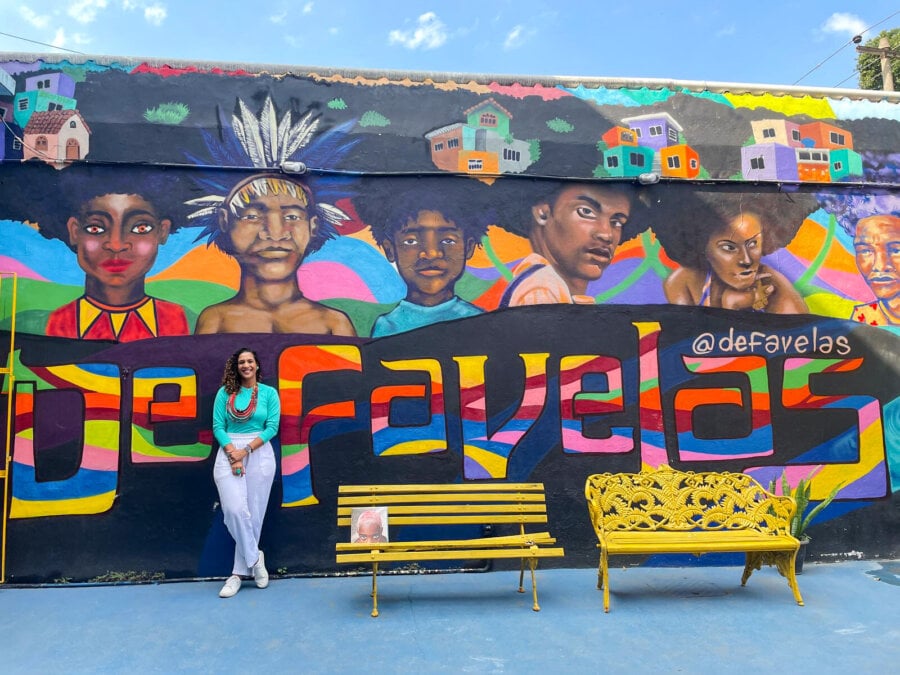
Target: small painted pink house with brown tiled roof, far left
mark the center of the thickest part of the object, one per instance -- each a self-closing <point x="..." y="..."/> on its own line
<point x="56" y="136"/>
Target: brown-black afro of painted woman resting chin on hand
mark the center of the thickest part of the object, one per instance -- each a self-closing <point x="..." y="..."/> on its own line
<point x="687" y="217"/>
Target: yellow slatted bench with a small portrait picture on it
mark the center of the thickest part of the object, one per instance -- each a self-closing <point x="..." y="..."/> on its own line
<point x="457" y="504"/>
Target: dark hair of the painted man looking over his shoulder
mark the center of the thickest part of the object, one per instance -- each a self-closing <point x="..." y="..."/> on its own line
<point x="515" y="197"/>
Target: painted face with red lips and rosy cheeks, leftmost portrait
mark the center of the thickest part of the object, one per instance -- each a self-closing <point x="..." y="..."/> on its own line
<point x="117" y="237"/>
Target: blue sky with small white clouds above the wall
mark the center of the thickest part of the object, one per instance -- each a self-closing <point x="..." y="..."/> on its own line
<point x="757" y="41"/>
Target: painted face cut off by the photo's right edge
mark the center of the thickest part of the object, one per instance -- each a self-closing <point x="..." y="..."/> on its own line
<point x="877" y="245"/>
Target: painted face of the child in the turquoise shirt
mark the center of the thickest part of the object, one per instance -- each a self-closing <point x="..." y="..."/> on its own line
<point x="431" y="254"/>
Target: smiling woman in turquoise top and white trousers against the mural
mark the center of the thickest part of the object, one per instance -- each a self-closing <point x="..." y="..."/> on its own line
<point x="245" y="419"/>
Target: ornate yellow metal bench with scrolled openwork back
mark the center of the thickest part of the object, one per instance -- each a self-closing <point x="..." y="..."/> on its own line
<point x="669" y="511"/>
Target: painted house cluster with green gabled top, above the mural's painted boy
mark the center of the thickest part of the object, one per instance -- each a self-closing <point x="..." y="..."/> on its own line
<point x="481" y="144"/>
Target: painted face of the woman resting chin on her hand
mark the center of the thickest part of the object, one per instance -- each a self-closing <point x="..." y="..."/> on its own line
<point x="734" y="251"/>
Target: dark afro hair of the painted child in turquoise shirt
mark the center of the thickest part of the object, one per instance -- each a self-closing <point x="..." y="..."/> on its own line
<point x="387" y="204"/>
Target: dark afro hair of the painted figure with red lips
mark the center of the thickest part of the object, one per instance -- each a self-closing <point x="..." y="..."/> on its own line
<point x="34" y="191"/>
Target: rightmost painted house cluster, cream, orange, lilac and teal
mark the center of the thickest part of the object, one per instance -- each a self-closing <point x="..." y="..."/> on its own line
<point x="784" y="150"/>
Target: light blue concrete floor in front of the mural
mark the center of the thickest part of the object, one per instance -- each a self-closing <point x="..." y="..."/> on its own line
<point x="662" y="620"/>
